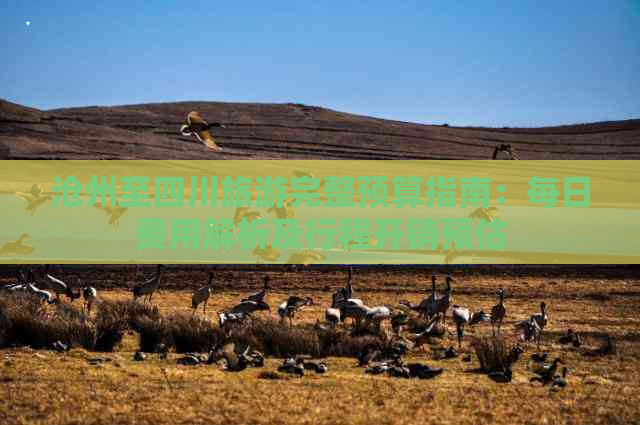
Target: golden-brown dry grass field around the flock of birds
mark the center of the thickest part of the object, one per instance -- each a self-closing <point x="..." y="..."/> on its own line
<point x="47" y="387"/>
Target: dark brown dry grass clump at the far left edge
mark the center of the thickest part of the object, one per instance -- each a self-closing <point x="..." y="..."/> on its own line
<point x="25" y="320"/>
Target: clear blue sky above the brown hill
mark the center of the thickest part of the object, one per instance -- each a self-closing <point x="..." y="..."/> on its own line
<point x="495" y="63"/>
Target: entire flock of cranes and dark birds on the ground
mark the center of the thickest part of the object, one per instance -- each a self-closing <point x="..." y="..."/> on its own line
<point x="344" y="305"/>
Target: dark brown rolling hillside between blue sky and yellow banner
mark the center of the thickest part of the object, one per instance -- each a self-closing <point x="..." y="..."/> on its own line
<point x="292" y="131"/>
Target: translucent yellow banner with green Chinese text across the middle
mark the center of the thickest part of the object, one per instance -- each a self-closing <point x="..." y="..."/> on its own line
<point x="331" y="212"/>
